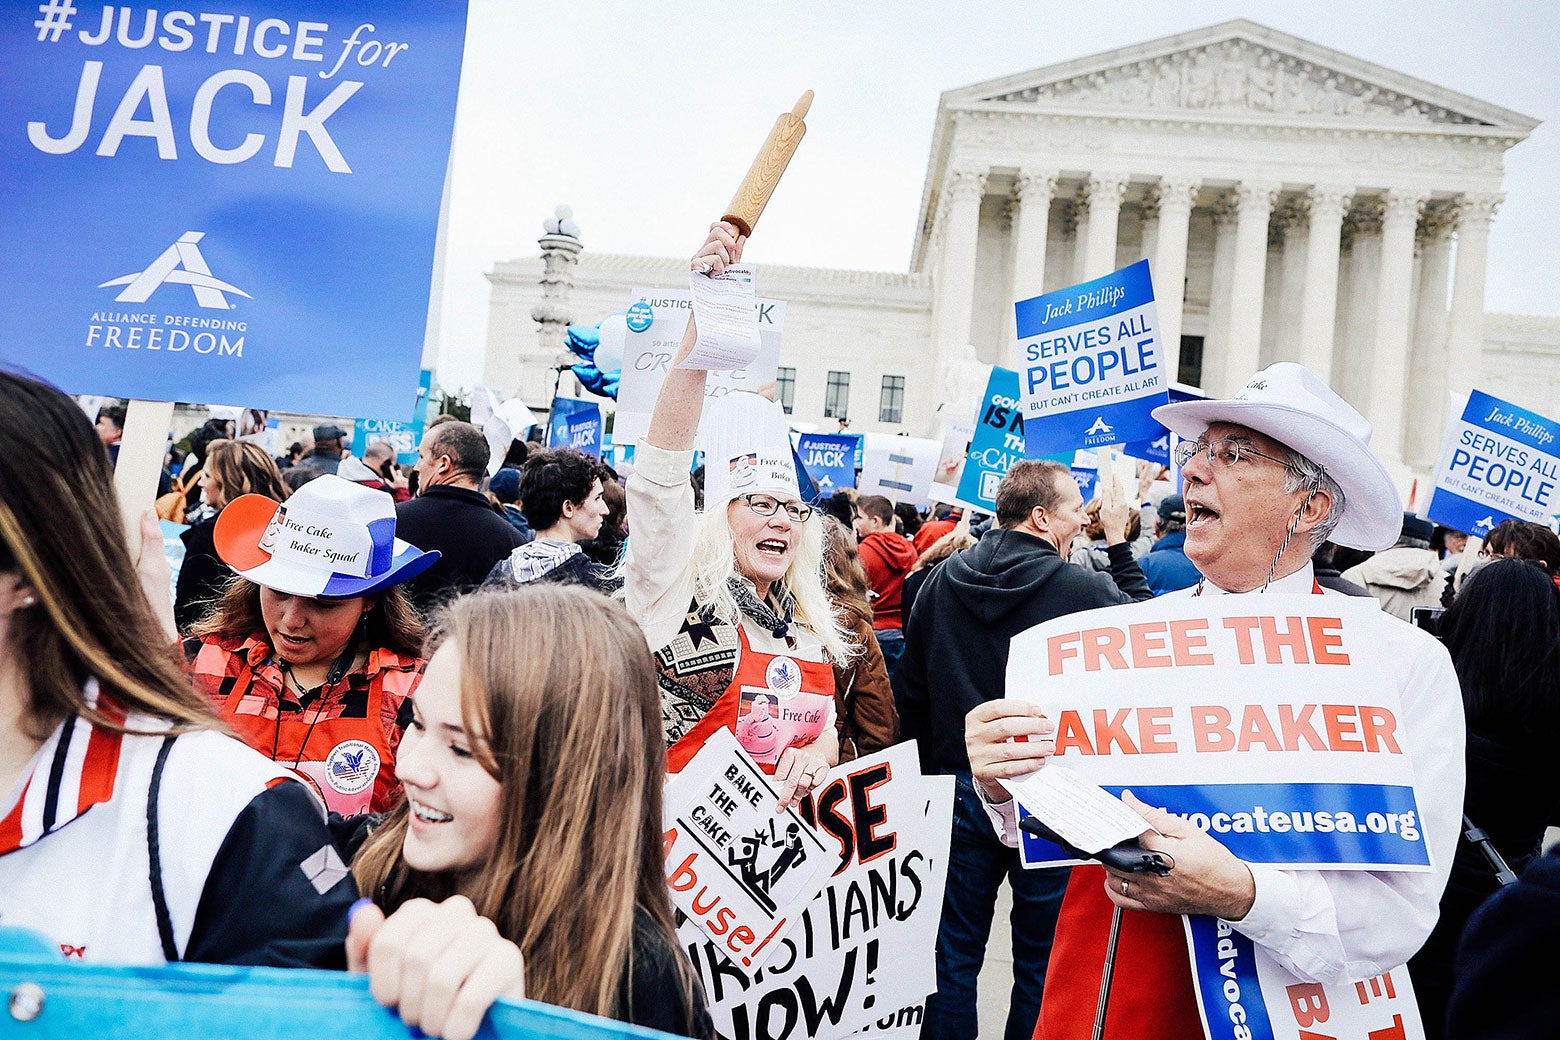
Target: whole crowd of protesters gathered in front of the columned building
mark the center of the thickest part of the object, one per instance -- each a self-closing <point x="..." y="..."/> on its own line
<point x="406" y="677"/>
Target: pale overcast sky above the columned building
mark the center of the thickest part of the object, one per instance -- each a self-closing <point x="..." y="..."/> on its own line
<point x="645" y="116"/>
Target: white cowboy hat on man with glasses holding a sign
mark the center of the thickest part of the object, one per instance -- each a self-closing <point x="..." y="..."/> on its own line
<point x="1288" y="403"/>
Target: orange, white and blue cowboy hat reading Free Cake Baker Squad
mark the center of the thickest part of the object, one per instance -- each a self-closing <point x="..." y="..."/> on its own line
<point x="331" y="540"/>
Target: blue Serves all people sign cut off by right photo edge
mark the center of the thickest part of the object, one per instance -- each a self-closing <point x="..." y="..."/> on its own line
<point x="1498" y="462"/>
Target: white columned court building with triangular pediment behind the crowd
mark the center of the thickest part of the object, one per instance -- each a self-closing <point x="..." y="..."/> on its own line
<point x="1296" y="203"/>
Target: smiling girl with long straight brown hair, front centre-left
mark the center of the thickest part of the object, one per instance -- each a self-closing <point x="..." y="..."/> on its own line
<point x="534" y="790"/>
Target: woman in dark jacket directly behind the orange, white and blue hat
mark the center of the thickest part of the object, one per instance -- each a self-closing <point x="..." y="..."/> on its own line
<point x="233" y="469"/>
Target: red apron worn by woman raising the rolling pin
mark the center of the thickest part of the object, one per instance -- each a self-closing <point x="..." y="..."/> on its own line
<point x="775" y="702"/>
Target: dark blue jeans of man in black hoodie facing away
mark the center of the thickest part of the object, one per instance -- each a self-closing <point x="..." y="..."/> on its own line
<point x="977" y="866"/>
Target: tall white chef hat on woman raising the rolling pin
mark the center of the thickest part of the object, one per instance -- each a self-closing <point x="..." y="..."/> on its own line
<point x="746" y="445"/>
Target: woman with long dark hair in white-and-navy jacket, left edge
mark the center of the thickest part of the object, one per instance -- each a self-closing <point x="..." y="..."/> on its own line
<point x="132" y="829"/>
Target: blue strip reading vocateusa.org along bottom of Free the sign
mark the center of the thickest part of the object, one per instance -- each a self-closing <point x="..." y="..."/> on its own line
<point x="1347" y="826"/>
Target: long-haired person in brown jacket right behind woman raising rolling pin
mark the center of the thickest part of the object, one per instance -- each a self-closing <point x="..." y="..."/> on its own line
<point x="863" y="698"/>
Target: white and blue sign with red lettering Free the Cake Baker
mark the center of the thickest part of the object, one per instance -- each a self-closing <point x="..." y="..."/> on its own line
<point x="1269" y="724"/>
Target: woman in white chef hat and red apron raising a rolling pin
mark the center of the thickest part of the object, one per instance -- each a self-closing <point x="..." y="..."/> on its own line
<point x="734" y="598"/>
